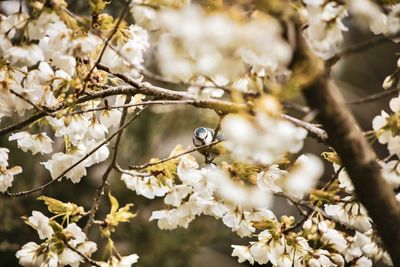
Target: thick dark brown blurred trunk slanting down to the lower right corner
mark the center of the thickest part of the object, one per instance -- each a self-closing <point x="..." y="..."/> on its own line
<point x="359" y="160"/>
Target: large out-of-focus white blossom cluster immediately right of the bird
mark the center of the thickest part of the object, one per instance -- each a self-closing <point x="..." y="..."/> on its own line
<point x="261" y="139"/>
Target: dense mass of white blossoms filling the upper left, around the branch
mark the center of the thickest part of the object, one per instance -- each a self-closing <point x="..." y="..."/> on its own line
<point x="46" y="73"/>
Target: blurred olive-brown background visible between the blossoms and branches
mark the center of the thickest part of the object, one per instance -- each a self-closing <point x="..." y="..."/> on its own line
<point x="206" y="242"/>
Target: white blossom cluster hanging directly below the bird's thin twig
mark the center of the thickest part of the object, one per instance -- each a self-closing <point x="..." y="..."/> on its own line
<point x="193" y="191"/>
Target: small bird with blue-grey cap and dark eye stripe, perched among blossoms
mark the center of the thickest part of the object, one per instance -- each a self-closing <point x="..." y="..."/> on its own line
<point x="204" y="136"/>
